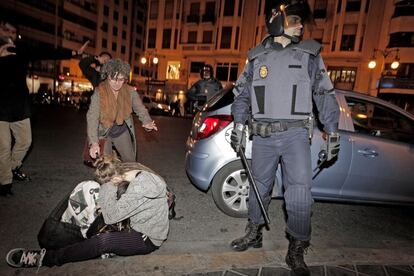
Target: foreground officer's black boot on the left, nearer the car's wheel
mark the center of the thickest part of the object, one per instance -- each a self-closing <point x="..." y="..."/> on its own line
<point x="253" y="238"/>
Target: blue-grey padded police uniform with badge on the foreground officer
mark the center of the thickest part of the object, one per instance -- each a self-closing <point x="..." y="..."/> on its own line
<point x="279" y="85"/>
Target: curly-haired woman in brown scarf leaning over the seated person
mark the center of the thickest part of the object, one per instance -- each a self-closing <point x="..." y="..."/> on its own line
<point x="109" y="115"/>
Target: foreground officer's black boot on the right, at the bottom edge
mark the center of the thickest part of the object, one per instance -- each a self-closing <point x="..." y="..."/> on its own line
<point x="294" y="257"/>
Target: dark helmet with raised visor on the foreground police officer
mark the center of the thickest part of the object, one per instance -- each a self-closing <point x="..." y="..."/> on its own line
<point x="276" y="12"/>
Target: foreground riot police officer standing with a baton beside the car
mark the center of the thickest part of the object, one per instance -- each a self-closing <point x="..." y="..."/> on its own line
<point x="277" y="89"/>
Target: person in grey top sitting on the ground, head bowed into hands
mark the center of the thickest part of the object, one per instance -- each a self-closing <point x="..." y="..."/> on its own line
<point x="144" y="204"/>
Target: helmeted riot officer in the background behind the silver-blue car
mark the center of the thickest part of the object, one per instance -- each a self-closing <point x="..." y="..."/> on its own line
<point x="205" y="88"/>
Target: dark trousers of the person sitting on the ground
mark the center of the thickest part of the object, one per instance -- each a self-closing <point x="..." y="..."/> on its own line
<point x="120" y="243"/>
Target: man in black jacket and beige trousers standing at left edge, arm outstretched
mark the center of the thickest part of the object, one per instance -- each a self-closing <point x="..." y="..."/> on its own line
<point x="15" y="102"/>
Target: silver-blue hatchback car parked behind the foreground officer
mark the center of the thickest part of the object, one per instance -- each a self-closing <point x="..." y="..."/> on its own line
<point x="375" y="162"/>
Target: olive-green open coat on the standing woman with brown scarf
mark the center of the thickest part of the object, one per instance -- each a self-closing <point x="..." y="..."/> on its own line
<point x="96" y="130"/>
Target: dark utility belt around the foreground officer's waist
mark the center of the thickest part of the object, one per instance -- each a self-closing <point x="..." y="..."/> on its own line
<point x="265" y="129"/>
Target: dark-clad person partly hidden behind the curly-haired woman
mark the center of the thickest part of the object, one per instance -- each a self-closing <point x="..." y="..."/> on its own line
<point x="91" y="67"/>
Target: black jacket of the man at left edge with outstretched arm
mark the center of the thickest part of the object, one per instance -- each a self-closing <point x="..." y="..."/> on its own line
<point x="14" y="95"/>
